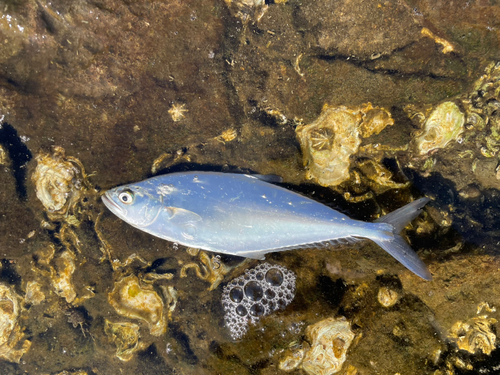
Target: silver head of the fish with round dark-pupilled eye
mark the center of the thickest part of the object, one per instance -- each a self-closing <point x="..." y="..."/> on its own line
<point x="136" y="205"/>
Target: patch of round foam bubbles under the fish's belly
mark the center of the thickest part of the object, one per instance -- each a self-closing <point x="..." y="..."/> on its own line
<point x="258" y="292"/>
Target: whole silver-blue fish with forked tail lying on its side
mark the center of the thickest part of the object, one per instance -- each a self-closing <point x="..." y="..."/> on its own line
<point x="245" y="215"/>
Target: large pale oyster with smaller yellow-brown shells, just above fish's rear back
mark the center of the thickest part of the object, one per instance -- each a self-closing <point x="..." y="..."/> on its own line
<point x="332" y="153"/>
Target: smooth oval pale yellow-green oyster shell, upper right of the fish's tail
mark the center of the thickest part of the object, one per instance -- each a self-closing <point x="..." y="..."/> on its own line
<point x="444" y="124"/>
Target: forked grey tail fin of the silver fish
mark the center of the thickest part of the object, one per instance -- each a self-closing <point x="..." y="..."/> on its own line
<point x="397" y="246"/>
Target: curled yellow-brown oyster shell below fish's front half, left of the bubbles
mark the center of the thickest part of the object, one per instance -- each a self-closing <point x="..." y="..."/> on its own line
<point x="136" y="301"/>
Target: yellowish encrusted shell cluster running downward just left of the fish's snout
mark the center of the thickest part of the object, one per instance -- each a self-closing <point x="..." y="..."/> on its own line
<point x="62" y="187"/>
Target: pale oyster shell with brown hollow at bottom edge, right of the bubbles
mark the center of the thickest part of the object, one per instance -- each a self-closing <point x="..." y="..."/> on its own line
<point x="330" y="339"/>
